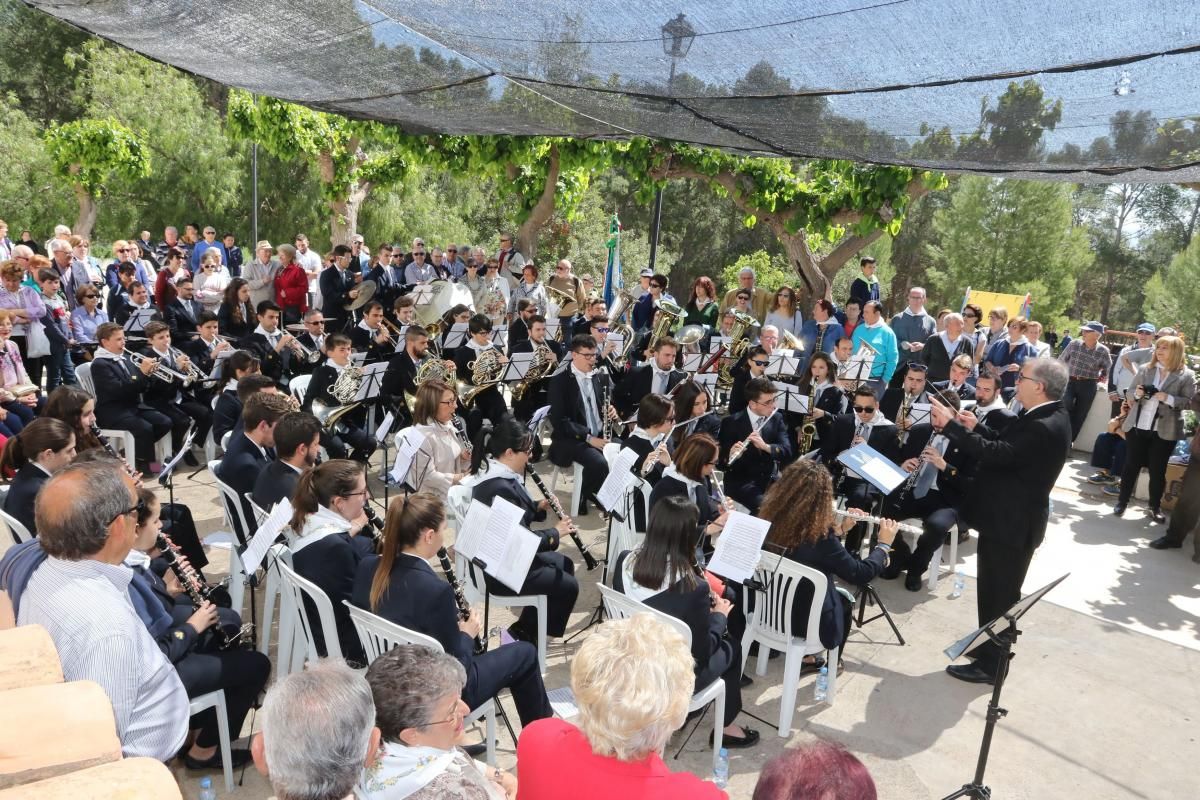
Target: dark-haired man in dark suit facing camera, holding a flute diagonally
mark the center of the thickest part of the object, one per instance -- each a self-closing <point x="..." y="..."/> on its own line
<point x="760" y="436"/>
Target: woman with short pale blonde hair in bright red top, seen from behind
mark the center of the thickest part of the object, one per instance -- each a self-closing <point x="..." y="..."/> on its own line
<point x="633" y="679"/>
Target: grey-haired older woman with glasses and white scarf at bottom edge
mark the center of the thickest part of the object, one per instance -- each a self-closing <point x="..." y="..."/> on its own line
<point x="419" y="711"/>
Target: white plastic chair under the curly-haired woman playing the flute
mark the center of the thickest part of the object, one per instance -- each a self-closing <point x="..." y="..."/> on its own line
<point x="771" y="625"/>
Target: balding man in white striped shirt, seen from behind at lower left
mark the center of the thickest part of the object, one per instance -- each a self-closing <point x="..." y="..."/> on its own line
<point x="87" y="524"/>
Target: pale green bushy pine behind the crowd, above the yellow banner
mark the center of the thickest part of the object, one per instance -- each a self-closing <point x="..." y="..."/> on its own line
<point x="1013" y="237"/>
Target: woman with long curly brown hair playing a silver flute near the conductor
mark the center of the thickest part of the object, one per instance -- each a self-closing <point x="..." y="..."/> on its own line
<point x="800" y="508"/>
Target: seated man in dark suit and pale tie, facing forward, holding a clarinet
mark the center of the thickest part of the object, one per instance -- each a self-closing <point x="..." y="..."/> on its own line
<point x="578" y="410"/>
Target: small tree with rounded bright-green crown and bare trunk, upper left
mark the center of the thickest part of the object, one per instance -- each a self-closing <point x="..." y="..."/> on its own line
<point x="92" y="153"/>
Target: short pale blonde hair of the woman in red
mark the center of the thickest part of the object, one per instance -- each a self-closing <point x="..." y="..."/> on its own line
<point x="633" y="681"/>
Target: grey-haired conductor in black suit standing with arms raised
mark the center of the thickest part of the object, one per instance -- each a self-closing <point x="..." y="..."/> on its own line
<point x="1010" y="501"/>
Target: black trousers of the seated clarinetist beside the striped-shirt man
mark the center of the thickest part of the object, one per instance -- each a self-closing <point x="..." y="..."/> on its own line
<point x="241" y="673"/>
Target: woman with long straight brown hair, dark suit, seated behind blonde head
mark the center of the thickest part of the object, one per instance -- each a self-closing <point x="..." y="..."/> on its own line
<point x="400" y="587"/>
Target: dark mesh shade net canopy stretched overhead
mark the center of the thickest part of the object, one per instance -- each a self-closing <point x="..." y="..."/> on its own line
<point x="1106" y="92"/>
